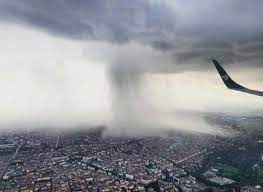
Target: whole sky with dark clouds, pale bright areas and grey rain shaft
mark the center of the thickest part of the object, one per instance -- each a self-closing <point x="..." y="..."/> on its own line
<point x="133" y="63"/>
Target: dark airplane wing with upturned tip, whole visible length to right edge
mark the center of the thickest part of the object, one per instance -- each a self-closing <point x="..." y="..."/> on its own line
<point x="232" y="84"/>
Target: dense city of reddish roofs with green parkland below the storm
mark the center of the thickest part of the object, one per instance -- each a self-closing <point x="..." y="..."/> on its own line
<point x="87" y="160"/>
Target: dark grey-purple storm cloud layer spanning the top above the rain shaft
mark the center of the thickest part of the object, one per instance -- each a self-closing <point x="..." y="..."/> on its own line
<point x="192" y="32"/>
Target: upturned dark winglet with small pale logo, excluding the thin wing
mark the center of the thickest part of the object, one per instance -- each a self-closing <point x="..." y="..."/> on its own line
<point x="225" y="77"/>
